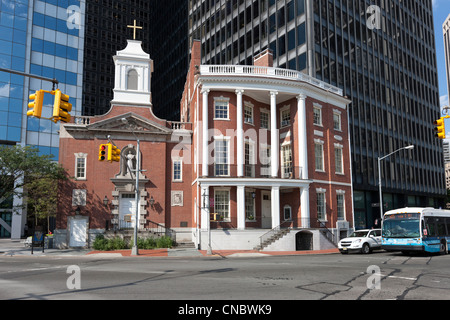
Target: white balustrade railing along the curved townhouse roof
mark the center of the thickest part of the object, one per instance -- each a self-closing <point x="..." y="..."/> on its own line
<point x="267" y="72"/>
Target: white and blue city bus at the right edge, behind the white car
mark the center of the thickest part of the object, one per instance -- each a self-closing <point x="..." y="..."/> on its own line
<point x="416" y="230"/>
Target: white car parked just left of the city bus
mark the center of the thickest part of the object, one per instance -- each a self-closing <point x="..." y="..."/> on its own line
<point x="363" y="241"/>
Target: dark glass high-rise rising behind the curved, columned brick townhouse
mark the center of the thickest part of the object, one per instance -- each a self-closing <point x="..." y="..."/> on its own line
<point x="381" y="53"/>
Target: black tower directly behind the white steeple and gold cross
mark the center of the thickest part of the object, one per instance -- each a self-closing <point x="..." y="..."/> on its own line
<point x="107" y="32"/>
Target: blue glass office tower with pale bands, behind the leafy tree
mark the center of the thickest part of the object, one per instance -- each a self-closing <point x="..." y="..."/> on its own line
<point x="44" y="38"/>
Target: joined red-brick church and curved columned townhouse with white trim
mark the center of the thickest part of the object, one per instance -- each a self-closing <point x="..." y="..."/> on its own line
<point x="258" y="150"/>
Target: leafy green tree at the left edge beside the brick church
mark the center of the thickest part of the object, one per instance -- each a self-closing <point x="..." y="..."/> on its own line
<point x="21" y="168"/>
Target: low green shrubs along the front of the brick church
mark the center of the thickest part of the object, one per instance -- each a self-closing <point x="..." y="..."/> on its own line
<point x="117" y="243"/>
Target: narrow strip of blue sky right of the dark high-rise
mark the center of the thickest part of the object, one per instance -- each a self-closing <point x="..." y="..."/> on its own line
<point x="441" y="10"/>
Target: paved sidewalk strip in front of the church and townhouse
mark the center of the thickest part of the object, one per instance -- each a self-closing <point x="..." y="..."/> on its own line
<point x="10" y="247"/>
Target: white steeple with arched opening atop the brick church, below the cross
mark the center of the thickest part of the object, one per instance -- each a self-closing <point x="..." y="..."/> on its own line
<point x="133" y="76"/>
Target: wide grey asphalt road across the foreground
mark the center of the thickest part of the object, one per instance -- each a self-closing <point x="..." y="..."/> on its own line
<point x="378" y="276"/>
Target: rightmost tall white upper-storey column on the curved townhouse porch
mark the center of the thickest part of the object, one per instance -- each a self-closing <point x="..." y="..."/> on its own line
<point x="302" y="138"/>
